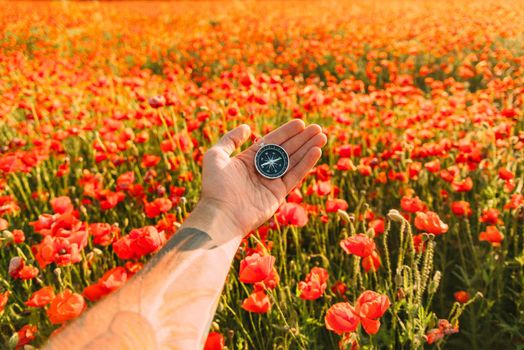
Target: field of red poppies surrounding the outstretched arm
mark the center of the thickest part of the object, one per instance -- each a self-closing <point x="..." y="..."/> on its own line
<point x="409" y="232"/>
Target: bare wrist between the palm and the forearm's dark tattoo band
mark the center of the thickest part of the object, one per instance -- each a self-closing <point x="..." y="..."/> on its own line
<point x="214" y="218"/>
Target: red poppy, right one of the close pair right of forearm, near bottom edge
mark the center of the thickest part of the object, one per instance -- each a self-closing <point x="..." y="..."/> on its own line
<point x="370" y="306"/>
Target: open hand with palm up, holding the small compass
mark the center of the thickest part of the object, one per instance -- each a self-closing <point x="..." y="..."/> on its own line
<point x="233" y="185"/>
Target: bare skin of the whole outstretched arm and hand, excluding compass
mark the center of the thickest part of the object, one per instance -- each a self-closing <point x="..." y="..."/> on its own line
<point x="171" y="302"/>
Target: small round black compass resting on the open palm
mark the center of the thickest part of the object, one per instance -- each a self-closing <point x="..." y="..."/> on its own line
<point x="271" y="161"/>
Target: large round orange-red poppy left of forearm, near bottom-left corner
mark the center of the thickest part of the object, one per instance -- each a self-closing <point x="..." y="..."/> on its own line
<point x="65" y="306"/>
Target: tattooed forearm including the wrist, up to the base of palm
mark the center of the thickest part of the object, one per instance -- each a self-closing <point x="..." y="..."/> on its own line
<point x="171" y="302"/>
